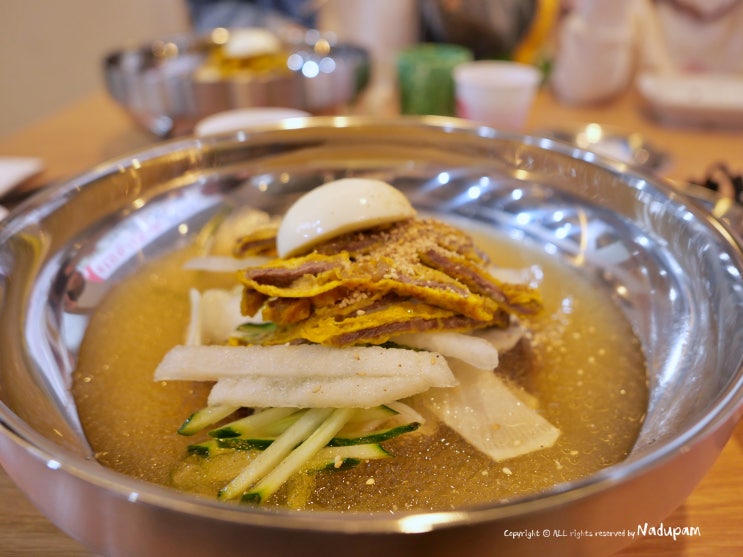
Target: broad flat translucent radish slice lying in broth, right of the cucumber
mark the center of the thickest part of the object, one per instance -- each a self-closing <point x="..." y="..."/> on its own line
<point x="489" y="416"/>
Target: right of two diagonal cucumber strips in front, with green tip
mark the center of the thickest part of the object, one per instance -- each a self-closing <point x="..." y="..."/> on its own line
<point x="294" y="461"/>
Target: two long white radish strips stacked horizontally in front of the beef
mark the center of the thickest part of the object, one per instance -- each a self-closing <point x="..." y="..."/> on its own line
<point x="307" y="375"/>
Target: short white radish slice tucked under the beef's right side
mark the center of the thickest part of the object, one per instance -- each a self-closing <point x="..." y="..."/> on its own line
<point x="477" y="352"/>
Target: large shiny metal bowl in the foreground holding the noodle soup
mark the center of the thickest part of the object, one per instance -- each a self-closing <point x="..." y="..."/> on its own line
<point x="673" y="268"/>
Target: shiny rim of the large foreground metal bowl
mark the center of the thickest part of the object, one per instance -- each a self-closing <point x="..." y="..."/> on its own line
<point x="726" y="410"/>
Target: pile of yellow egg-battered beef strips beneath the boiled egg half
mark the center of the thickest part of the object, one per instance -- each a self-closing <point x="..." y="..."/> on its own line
<point x="367" y="287"/>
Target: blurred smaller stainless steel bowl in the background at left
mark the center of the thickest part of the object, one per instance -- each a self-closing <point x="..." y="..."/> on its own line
<point x="158" y="83"/>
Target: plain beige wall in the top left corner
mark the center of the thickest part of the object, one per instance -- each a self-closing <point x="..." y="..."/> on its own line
<point x="51" y="50"/>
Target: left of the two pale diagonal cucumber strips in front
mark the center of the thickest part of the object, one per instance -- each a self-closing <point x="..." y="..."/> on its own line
<point x="276" y="452"/>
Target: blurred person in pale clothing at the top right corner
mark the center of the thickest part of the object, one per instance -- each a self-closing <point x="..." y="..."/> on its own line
<point x="603" y="44"/>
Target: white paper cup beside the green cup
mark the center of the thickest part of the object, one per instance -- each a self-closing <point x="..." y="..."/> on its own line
<point x="496" y="93"/>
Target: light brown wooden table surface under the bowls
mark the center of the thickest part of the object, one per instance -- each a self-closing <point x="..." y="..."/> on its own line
<point x="94" y="130"/>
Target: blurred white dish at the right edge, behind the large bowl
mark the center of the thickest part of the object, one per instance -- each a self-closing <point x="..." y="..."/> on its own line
<point x="698" y="99"/>
